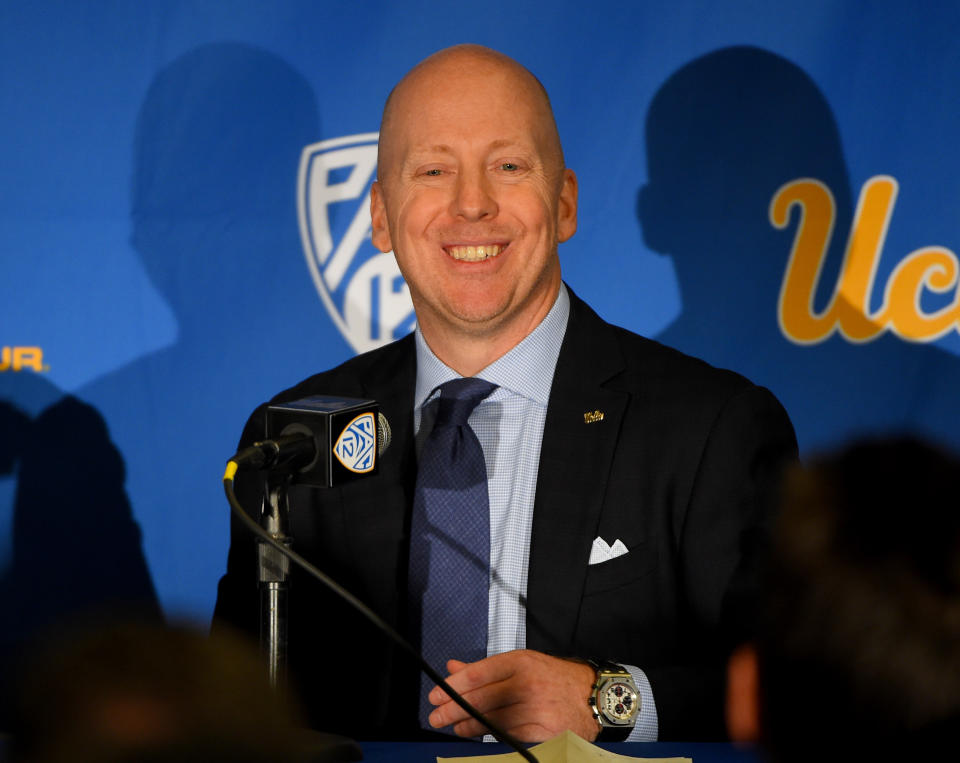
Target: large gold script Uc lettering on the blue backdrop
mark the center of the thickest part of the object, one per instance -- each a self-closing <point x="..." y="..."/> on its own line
<point x="930" y="268"/>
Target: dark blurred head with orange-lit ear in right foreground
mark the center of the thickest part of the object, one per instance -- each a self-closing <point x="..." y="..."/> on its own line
<point x="858" y="647"/>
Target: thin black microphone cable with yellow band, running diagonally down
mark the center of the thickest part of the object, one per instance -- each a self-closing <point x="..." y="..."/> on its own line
<point x="499" y="734"/>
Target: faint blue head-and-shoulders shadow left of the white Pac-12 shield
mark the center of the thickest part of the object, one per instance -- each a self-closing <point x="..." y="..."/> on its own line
<point x="217" y="147"/>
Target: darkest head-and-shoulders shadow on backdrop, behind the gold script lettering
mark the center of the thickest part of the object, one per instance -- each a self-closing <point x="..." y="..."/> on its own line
<point x="723" y="133"/>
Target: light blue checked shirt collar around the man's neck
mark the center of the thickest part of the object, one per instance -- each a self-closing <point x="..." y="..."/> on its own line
<point x="539" y="350"/>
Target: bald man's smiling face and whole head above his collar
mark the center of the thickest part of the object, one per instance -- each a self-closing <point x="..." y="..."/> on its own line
<point x="473" y="198"/>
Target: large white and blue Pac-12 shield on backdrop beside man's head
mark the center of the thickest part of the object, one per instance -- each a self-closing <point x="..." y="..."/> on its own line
<point x="360" y="286"/>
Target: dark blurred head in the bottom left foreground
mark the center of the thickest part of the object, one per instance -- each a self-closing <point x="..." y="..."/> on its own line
<point x="138" y="693"/>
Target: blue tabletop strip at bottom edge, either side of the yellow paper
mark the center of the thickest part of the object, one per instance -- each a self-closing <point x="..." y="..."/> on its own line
<point x="427" y="752"/>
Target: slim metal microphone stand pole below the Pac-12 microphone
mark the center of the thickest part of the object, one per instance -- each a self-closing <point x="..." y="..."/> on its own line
<point x="273" y="573"/>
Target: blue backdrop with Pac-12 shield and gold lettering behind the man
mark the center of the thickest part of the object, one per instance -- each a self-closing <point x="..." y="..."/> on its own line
<point x="771" y="186"/>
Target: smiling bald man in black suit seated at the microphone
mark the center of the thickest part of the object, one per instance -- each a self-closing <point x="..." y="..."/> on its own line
<point x="640" y="476"/>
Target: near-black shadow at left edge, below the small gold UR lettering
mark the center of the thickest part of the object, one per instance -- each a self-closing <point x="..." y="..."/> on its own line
<point x="75" y="548"/>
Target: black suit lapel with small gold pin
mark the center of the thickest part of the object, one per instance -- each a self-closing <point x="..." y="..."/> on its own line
<point x="579" y="441"/>
